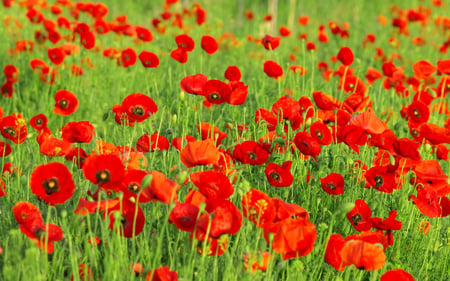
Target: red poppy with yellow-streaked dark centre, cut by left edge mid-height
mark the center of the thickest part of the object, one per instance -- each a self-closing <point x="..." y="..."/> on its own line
<point x="13" y="127"/>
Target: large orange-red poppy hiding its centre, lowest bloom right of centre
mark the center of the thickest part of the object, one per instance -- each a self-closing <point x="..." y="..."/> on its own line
<point x="294" y="237"/>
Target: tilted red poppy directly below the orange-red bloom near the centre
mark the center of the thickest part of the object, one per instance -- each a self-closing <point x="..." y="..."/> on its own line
<point x="212" y="184"/>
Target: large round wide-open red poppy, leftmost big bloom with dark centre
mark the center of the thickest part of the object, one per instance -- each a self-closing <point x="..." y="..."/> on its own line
<point x="52" y="183"/>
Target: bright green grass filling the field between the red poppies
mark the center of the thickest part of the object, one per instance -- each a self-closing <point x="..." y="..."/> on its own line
<point x="425" y="256"/>
